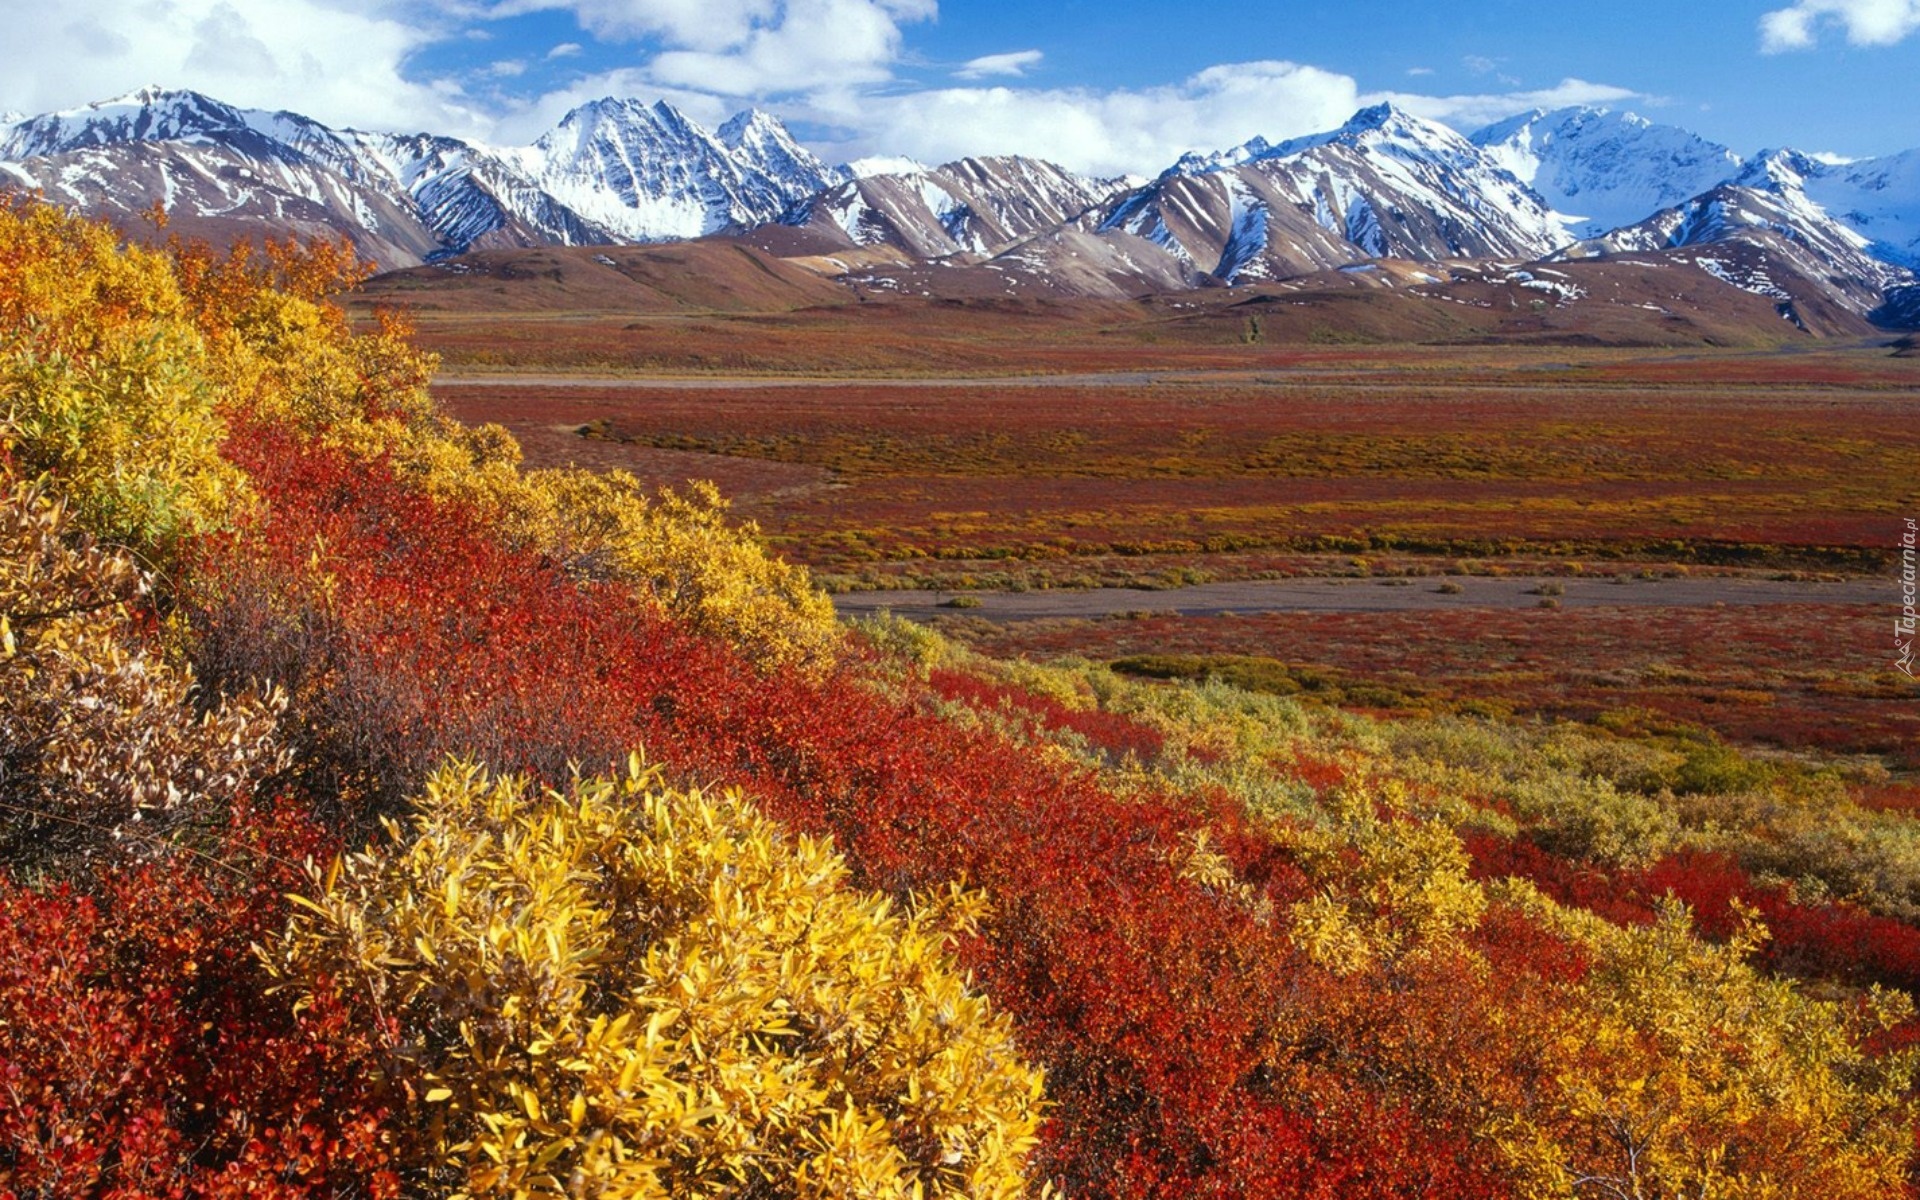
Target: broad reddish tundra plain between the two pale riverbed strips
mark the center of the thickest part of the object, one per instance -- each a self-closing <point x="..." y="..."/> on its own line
<point x="1330" y="460"/>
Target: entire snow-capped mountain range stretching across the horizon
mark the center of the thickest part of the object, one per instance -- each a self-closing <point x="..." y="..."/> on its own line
<point x="1545" y="187"/>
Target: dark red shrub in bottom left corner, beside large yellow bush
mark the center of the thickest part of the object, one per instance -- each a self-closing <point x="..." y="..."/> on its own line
<point x="145" y="1053"/>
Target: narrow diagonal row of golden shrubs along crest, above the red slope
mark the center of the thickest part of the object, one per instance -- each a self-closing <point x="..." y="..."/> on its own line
<point x="293" y="364"/>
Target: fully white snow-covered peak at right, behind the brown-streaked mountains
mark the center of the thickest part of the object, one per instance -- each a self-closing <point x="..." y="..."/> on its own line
<point x="1604" y="170"/>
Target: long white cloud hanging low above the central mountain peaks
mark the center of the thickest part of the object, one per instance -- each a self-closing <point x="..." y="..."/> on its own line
<point x="1095" y="132"/>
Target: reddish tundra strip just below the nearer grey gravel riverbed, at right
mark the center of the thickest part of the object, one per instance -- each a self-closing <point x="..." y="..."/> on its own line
<point x="1792" y="677"/>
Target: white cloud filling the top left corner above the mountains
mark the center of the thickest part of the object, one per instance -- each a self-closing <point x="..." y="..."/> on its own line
<point x="337" y="60"/>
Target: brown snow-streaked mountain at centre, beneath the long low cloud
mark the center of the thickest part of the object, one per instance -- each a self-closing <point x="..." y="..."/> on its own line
<point x="976" y="206"/>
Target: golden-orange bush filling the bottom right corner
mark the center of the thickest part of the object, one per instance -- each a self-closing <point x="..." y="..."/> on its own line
<point x="1687" y="1072"/>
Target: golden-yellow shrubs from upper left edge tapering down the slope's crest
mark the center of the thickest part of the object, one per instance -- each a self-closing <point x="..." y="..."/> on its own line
<point x="124" y="370"/>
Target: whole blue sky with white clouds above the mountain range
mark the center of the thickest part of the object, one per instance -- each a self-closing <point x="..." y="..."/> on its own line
<point x="1103" y="85"/>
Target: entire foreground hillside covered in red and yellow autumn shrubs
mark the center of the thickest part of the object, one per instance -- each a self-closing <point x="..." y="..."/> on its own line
<point x="1241" y="942"/>
